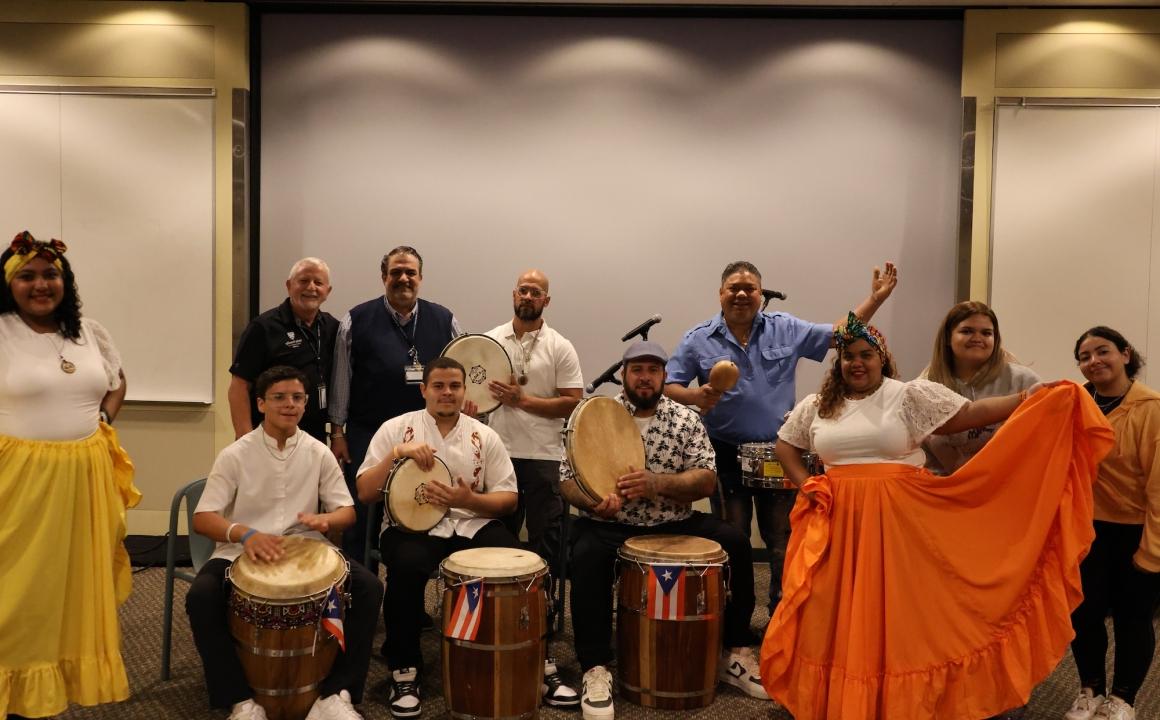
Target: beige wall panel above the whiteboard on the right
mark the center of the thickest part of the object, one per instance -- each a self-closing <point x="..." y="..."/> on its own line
<point x="1077" y="61"/>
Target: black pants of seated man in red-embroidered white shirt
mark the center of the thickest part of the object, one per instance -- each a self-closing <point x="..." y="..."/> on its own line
<point x="410" y="559"/>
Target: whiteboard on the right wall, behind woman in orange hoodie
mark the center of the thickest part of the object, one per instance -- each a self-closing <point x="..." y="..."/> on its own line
<point x="1075" y="229"/>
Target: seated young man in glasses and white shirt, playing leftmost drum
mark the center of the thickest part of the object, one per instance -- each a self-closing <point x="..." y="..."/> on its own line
<point x="267" y="485"/>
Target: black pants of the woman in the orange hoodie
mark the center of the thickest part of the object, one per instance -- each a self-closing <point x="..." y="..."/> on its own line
<point x="1112" y="584"/>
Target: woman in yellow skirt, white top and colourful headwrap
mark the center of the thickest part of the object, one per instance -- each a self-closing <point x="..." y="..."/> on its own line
<point x="66" y="484"/>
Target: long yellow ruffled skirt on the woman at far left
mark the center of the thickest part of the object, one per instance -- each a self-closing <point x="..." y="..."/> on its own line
<point x="64" y="572"/>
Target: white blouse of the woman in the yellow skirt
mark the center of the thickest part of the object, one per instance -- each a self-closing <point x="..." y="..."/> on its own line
<point x="41" y="402"/>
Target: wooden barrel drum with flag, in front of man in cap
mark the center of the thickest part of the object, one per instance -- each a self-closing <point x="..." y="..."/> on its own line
<point x="671" y="602"/>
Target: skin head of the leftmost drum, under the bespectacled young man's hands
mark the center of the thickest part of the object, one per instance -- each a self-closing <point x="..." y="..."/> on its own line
<point x="308" y="568"/>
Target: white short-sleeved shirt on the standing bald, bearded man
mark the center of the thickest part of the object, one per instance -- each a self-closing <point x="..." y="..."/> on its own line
<point x="550" y="362"/>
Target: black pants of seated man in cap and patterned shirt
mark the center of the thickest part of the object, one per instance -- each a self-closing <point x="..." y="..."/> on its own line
<point x="592" y="573"/>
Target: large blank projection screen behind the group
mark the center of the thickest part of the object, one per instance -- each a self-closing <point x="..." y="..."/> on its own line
<point x="630" y="159"/>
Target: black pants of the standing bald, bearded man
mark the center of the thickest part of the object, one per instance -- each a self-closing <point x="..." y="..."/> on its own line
<point x="543" y="507"/>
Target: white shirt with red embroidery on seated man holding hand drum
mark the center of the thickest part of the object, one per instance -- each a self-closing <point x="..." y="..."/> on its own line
<point x="472" y="452"/>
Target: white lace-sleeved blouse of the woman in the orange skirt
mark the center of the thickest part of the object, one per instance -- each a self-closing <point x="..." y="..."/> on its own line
<point x="887" y="427"/>
